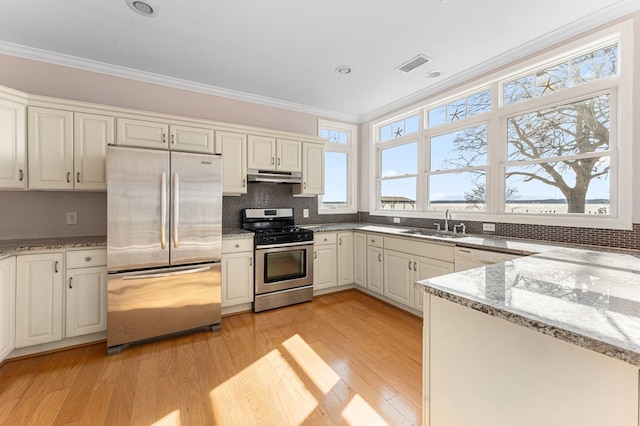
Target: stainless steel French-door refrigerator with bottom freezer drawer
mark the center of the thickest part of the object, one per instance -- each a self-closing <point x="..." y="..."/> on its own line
<point x="164" y="239"/>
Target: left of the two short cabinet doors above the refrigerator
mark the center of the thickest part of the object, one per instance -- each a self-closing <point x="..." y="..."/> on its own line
<point x="141" y="133"/>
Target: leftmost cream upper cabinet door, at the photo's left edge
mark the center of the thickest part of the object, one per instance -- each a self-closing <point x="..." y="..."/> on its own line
<point x="13" y="142"/>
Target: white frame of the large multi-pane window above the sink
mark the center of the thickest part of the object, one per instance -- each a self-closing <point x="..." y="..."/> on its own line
<point x="618" y="87"/>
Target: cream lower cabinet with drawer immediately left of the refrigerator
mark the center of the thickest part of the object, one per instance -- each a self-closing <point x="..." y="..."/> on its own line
<point x="86" y="292"/>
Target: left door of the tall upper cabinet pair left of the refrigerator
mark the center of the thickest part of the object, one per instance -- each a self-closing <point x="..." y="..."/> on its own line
<point x="50" y="148"/>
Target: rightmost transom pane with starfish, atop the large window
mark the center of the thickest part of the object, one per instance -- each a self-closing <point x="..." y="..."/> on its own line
<point x="584" y="68"/>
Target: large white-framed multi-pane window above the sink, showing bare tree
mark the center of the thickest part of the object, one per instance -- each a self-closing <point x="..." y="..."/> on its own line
<point x="539" y="140"/>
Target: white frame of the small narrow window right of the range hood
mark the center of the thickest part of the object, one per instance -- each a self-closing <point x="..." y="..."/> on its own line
<point x="350" y="149"/>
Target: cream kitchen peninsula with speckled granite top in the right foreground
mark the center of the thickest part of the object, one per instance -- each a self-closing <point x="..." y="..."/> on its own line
<point x="549" y="339"/>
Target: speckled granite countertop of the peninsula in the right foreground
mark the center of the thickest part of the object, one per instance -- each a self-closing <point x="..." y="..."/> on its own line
<point x="588" y="298"/>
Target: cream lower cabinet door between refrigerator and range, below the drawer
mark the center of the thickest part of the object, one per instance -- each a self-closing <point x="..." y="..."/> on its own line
<point x="237" y="278"/>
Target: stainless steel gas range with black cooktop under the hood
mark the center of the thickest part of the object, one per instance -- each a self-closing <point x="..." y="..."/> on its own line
<point x="284" y="258"/>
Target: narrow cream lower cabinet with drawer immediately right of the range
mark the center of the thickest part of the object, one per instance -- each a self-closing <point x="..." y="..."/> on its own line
<point x="325" y="260"/>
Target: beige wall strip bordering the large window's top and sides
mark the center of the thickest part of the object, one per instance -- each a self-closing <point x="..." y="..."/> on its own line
<point x="366" y="154"/>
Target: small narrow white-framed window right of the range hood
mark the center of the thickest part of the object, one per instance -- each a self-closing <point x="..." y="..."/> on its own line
<point x="340" y="165"/>
